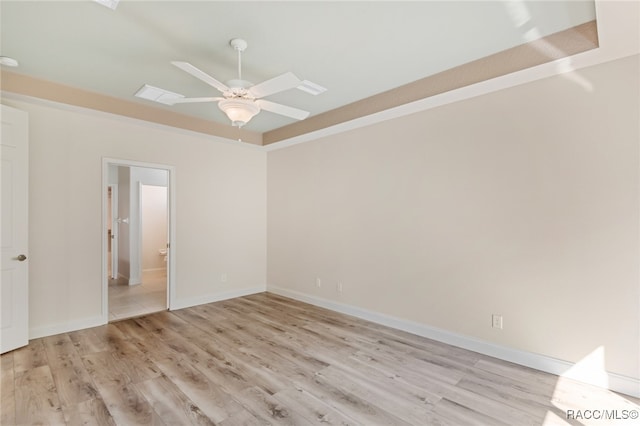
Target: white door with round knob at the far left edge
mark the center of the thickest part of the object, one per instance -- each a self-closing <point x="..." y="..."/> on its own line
<point x="14" y="284"/>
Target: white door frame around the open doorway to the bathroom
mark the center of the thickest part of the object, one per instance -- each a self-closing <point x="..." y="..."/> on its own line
<point x="171" y="231"/>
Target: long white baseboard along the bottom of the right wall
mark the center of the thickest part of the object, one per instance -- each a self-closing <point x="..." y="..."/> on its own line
<point x="612" y="381"/>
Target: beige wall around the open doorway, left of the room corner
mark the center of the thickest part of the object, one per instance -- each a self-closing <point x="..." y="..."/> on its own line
<point x="220" y="219"/>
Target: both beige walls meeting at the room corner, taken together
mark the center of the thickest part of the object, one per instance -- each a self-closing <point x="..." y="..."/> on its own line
<point x="523" y="202"/>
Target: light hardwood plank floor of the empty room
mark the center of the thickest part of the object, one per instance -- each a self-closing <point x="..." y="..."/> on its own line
<point x="264" y="359"/>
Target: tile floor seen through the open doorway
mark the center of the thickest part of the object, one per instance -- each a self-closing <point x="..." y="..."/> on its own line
<point x="127" y="301"/>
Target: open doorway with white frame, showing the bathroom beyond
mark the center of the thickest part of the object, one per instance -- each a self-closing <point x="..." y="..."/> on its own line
<point x="138" y="228"/>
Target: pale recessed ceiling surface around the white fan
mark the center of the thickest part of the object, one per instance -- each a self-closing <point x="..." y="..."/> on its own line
<point x="355" y="49"/>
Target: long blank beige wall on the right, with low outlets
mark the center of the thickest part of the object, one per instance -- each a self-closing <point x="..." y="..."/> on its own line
<point x="522" y="202"/>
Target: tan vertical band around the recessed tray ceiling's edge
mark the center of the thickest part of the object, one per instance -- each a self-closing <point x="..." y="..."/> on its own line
<point x="565" y="43"/>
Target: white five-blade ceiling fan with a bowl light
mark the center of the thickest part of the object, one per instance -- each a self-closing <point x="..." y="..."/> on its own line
<point x="241" y="100"/>
